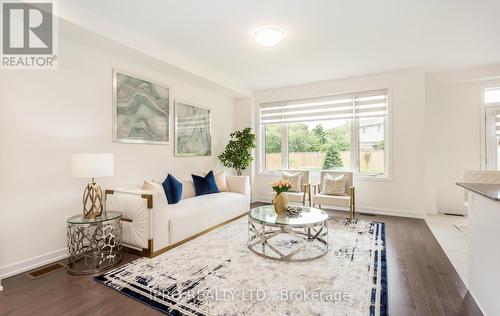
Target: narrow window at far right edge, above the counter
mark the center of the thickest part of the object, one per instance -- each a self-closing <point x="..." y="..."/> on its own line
<point x="492" y="128"/>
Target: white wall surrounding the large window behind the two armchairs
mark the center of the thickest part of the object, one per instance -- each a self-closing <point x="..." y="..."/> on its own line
<point x="404" y="193"/>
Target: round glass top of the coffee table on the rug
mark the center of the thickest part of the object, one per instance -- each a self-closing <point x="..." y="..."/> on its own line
<point x="308" y="216"/>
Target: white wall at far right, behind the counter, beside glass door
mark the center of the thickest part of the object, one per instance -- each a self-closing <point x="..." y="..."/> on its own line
<point x="453" y="123"/>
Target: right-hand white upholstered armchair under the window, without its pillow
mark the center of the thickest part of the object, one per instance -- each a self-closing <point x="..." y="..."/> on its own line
<point x="342" y="202"/>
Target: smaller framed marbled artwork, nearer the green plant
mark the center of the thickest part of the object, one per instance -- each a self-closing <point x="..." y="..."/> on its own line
<point x="192" y="130"/>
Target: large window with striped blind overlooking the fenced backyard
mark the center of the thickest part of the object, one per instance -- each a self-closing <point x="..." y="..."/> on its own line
<point x="337" y="132"/>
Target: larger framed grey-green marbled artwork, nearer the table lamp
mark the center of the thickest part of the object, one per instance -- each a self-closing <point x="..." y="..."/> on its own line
<point x="140" y="110"/>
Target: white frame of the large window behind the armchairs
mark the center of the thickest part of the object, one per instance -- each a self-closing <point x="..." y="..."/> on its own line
<point x="355" y="160"/>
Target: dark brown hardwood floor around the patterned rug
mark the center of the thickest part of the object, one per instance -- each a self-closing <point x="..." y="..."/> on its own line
<point x="421" y="280"/>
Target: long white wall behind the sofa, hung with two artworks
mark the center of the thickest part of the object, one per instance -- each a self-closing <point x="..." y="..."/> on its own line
<point x="46" y="116"/>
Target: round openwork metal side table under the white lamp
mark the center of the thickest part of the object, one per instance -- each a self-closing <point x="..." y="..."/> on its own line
<point x="94" y="245"/>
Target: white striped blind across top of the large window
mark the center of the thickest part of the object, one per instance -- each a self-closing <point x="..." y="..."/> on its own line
<point x="358" y="105"/>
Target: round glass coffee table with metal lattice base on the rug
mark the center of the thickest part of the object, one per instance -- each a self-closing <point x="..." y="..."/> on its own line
<point x="293" y="239"/>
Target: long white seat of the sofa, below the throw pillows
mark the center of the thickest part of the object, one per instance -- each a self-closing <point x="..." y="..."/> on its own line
<point x="194" y="215"/>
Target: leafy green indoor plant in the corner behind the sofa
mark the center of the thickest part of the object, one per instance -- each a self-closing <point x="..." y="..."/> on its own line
<point x="238" y="152"/>
